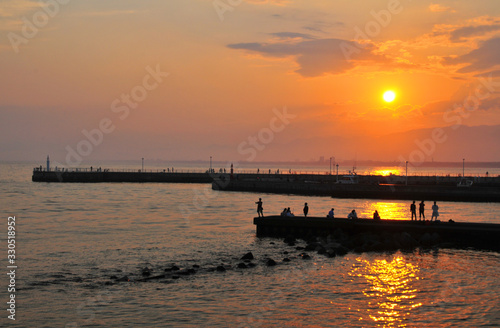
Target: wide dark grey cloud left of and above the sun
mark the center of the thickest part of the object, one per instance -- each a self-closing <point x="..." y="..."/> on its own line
<point x="317" y="57"/>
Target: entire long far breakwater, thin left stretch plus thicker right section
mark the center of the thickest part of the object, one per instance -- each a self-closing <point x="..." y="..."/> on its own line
<point x="438" y="188"/>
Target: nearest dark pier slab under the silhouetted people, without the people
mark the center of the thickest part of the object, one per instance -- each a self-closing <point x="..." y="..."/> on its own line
<point x="334" y="237"/>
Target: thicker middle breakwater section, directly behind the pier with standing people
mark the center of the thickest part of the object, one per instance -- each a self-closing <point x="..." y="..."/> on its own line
<point x="371" y="187"/>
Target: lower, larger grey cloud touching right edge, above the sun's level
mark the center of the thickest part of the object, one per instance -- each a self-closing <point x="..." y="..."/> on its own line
<point x="487" y="56"/>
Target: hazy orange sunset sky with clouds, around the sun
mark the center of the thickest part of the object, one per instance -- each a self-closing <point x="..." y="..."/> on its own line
<point x="207" y="78"/>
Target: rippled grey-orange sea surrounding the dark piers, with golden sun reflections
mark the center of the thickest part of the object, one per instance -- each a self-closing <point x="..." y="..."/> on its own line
<point x="81" y="251"/>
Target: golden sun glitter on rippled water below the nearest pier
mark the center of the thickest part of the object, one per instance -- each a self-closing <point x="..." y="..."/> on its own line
<point x="390" y="294"/>
